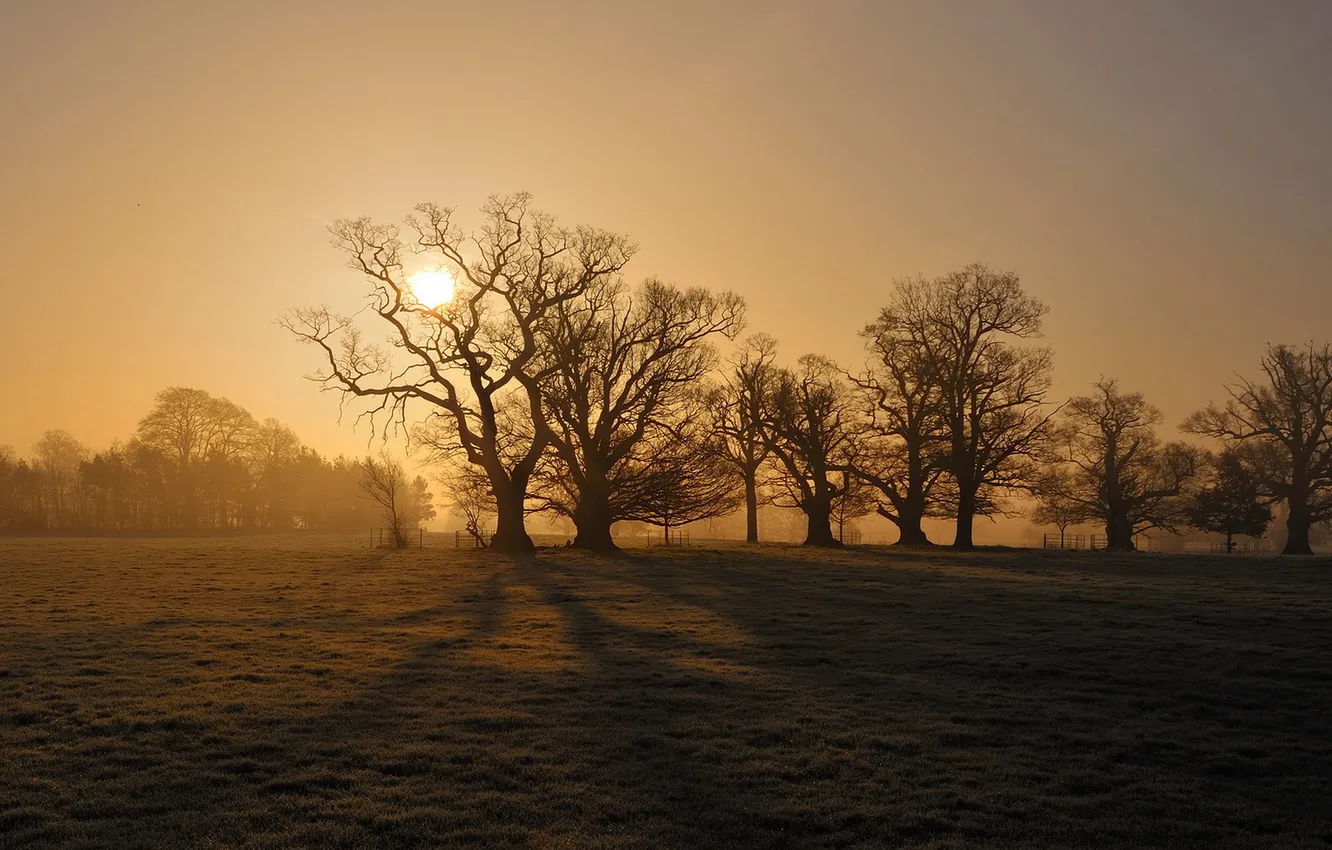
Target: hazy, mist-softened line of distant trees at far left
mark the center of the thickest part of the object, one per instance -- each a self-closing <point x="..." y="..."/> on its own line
<point x="196" y="462"/>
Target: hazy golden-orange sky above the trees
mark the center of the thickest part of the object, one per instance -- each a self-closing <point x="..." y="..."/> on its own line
<point x="1160" y="174"/>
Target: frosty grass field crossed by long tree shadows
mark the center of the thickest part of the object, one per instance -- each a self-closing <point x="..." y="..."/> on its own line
<point x="302" y="692"/>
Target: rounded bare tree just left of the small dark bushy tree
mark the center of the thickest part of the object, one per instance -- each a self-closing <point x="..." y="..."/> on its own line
<point x="1110" y="460"/>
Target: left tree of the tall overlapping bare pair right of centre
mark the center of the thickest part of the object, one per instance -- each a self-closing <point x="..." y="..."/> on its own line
<point x="904" y="444"/>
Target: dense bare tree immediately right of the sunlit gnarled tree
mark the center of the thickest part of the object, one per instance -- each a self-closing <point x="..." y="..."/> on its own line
<point x="627" y="368"/>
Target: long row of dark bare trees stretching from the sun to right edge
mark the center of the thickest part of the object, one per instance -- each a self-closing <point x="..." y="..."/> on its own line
<point x="551" y="386"/>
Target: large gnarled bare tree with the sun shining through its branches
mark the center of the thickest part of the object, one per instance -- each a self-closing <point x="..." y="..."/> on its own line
<point x="466" y="356"/>
